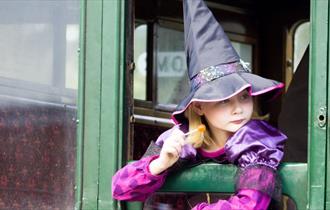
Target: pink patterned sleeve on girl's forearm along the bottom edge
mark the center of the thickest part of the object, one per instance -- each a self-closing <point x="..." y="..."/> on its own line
<point x="243" y="200"/>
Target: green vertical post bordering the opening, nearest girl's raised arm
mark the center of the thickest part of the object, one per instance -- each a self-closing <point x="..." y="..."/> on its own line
<point x="113" y="67"/>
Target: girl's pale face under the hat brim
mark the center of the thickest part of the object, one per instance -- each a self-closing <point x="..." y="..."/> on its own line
<point x="228" y="115"/>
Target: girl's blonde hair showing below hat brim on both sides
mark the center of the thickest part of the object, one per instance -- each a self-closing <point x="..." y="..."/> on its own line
<point x="197" y="139"/>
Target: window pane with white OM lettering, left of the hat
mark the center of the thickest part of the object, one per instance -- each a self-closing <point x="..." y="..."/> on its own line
<point x="172" y="77"/>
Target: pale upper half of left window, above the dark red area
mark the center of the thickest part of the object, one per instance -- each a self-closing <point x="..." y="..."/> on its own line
<point x="39" y="42"/>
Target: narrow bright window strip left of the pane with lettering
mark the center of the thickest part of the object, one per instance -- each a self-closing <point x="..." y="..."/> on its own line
<point x="140" y="57"/>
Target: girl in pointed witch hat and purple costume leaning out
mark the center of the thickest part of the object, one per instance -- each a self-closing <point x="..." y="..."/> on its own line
<point x="221" y="98"/>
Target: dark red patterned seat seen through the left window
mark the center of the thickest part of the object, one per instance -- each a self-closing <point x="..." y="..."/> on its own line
<point x="38" y="154"/>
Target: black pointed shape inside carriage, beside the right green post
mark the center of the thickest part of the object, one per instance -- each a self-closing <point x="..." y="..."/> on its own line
<point x="293" y="119"/>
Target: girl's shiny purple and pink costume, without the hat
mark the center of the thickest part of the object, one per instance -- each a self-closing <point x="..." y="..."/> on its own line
<point x="256" y="148"/>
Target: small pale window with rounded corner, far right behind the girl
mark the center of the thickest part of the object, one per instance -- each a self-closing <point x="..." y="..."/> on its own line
<point x="301" y="41"/>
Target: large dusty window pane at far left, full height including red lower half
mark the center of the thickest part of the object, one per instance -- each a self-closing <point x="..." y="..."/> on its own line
<point x="38" y="88"/>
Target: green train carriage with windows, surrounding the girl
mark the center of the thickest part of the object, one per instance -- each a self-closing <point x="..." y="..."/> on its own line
<point x="85" y="85"/>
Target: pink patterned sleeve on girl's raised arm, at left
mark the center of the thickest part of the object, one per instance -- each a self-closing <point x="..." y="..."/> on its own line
<point x="134" y="182"/>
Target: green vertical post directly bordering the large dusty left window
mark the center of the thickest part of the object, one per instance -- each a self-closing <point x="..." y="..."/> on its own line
<point x="89" y="106"/>
